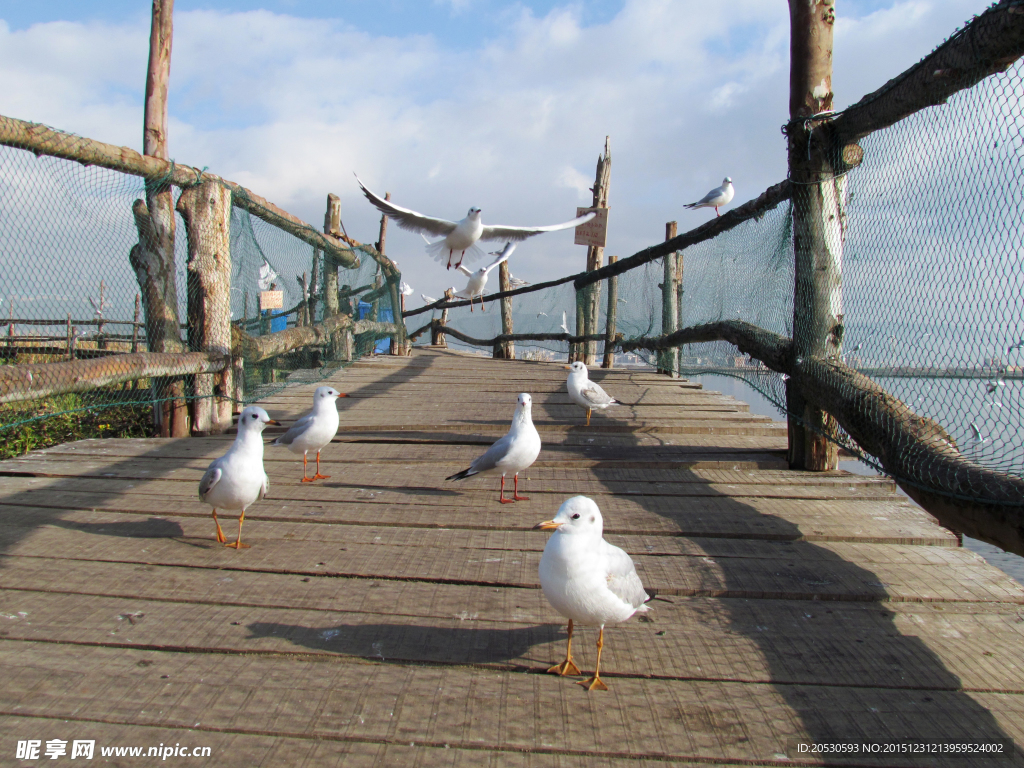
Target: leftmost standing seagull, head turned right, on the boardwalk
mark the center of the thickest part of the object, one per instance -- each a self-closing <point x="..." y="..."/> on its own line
<point x="237" y="480"/>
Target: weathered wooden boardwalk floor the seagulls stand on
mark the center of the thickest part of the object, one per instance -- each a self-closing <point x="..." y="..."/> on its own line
<point x="388" y="618"/>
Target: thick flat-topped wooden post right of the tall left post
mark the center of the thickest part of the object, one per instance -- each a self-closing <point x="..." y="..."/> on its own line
<point x="207" y="214"/>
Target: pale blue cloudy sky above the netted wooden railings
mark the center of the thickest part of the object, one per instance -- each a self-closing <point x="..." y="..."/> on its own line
<point x="454" y="104"/>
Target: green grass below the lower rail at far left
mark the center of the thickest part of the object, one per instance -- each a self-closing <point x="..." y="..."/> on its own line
<point x="72" y="417"/>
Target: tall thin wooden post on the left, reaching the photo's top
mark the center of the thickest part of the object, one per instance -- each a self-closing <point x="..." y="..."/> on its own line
<point x="153" y="257"/>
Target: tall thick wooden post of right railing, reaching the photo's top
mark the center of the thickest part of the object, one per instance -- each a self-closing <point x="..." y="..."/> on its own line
<point x="819" y="221"/>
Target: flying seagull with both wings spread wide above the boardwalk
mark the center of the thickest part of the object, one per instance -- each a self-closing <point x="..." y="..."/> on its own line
<point x="461" y="236"/>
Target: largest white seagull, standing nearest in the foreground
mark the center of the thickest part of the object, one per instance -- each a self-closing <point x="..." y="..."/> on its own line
<point x="587" y="580"/>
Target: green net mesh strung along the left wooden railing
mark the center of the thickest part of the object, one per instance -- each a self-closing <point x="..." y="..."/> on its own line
<point x="70" y="292"/>
